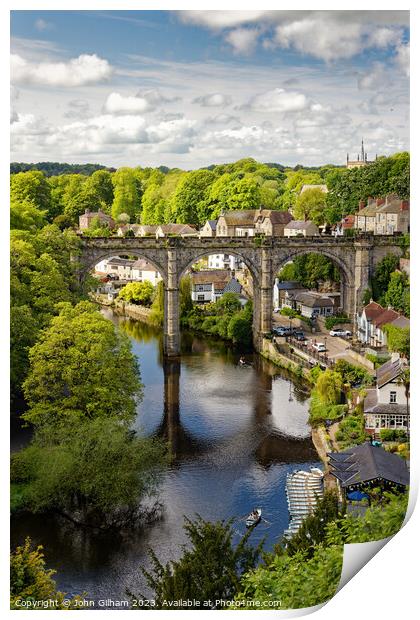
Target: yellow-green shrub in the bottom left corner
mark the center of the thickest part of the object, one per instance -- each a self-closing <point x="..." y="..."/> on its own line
<point x="31" y="581"/>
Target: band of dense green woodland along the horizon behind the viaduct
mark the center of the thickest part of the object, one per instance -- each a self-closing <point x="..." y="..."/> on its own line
<point x="160" y="195"/>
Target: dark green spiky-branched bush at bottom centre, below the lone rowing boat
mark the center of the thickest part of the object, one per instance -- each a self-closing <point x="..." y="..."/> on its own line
<point x="208" y="571"/>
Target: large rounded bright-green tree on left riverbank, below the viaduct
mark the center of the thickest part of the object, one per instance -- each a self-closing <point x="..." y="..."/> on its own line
<point x="81" y="367"/>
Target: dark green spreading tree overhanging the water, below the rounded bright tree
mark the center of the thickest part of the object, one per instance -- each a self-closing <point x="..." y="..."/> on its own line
<point x="94" y="471"/>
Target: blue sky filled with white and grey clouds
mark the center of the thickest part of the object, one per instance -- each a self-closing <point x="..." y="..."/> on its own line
<point x="191" y="88"/>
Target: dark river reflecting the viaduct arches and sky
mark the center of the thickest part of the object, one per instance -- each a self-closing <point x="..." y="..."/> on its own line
<point x="234" y="433"/>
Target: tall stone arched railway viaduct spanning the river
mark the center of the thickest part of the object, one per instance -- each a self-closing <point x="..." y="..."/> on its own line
<point x="356" y="259"/>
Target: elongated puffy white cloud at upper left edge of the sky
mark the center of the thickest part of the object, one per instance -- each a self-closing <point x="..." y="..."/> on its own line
<point x="86" y="69"/>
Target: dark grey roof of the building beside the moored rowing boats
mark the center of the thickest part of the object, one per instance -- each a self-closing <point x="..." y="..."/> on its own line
<point x="366" y="462"/>
